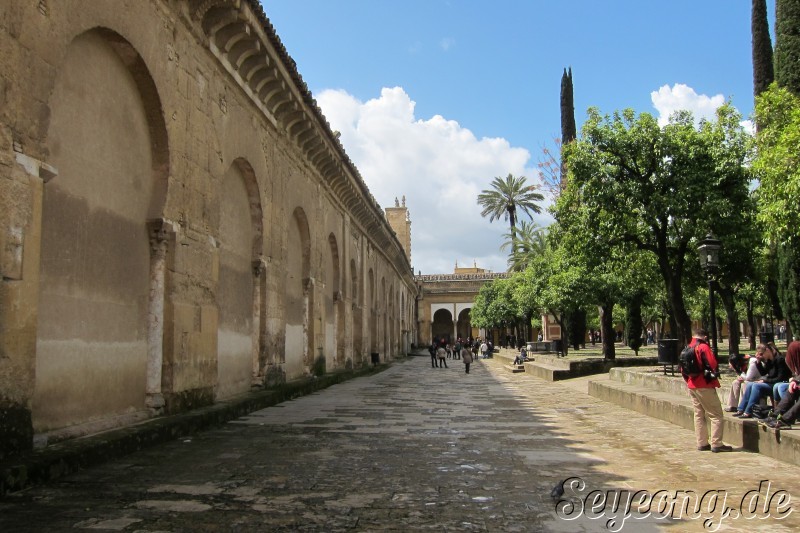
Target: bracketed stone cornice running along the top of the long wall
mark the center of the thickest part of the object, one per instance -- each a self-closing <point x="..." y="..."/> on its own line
<point x="255" y="56"/>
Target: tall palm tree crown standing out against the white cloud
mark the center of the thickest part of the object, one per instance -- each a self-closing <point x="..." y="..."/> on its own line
<point x="506" y="196"/>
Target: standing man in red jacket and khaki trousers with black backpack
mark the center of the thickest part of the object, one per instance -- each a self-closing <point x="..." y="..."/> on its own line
<point x="703" y="392"/>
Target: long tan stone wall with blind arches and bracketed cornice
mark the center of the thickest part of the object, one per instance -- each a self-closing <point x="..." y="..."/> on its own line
<point x="178" y="222"/>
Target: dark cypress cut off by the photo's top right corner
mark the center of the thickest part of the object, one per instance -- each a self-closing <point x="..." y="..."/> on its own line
<point x="787" y="45"/>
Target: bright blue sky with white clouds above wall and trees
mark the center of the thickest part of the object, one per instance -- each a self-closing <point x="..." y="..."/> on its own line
<point x="434" y="98"/>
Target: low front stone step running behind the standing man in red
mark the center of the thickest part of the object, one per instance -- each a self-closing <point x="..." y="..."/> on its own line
<point x="677" y="409"/>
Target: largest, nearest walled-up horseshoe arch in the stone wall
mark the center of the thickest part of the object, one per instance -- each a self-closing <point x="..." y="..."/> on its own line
<point x="101" y="297"/>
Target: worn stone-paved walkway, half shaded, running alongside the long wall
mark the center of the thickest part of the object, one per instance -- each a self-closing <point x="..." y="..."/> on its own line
<point x="417" y="448"/>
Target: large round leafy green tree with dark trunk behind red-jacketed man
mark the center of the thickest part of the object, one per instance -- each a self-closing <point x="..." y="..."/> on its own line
<point x="658" y="190"/>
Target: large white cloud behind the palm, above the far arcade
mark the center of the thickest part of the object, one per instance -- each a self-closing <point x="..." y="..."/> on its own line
<point x="438" y="165"/>
